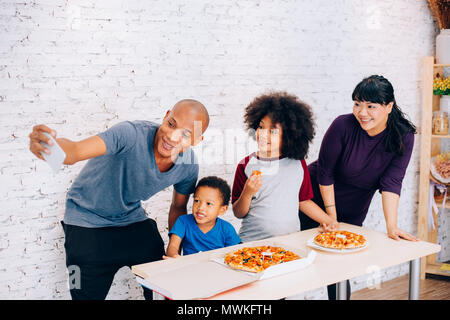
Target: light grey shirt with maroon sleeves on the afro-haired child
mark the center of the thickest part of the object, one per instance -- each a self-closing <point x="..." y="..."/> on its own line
<point x="274" y="208"/>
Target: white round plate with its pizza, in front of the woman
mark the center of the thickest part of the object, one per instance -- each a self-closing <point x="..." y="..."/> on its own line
<point x="338" y="241"/>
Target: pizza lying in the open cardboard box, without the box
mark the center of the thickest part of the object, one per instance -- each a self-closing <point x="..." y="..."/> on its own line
<point x="257" y="259"/>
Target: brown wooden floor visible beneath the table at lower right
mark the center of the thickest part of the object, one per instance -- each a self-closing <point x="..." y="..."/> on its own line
<point x="436" y="288"/>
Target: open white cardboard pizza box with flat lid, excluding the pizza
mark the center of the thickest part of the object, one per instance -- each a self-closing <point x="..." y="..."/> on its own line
<point x="205" y="274"/>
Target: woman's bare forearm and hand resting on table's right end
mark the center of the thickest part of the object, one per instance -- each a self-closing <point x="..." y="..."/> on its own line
<point x="390" y="205"/>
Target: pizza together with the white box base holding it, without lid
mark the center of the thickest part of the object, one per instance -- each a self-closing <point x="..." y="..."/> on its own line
<point x="267" y="260"/>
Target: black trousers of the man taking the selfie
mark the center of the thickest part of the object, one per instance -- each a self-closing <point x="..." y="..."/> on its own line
<point x="94" y="255"/>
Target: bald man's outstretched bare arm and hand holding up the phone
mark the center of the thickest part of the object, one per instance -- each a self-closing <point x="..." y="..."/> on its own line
<point x="75" y="151"/>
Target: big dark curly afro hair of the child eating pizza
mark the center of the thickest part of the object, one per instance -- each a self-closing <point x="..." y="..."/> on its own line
<point x="294" y="116"/>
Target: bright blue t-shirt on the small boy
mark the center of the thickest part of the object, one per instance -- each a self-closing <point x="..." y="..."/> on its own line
<point x="194" y="240"/>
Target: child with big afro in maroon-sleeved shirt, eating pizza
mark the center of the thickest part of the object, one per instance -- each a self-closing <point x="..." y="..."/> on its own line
<point x="272" y="184"/>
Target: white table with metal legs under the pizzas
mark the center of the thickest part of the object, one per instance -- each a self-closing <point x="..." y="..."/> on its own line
<point x="328" y="268"/>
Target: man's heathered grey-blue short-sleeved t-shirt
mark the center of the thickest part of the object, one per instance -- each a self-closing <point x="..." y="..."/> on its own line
<point x="109" y="189"/>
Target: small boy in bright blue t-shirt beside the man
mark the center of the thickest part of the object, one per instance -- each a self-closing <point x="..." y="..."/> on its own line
<point x="203" y="230"/>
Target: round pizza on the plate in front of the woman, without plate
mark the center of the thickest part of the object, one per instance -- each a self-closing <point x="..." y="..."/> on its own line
<point x="340" y="240"/>
